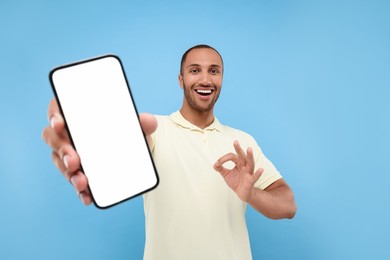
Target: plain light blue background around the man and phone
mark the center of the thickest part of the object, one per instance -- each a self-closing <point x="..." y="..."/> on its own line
<point x="308" y="79"/>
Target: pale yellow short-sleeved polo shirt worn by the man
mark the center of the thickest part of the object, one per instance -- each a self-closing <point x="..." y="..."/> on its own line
<point x="193" y="214"/>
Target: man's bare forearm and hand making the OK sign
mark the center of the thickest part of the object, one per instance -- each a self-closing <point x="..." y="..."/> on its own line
<point x="275" y="202"/>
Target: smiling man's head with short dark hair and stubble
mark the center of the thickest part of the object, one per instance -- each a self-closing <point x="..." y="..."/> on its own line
<point x="201" y="79"/>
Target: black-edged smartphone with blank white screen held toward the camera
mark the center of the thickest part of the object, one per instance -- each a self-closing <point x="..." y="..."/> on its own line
<point x="103" y="124"/>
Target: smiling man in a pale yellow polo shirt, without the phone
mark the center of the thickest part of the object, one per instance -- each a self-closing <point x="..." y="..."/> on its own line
<point x="194" y="213"/>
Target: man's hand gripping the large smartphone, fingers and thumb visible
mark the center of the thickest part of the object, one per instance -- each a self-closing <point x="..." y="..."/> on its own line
<point x="66" y="158"/>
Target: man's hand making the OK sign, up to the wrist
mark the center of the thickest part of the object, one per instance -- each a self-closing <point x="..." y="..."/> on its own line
<point x="241" y="178"/>
